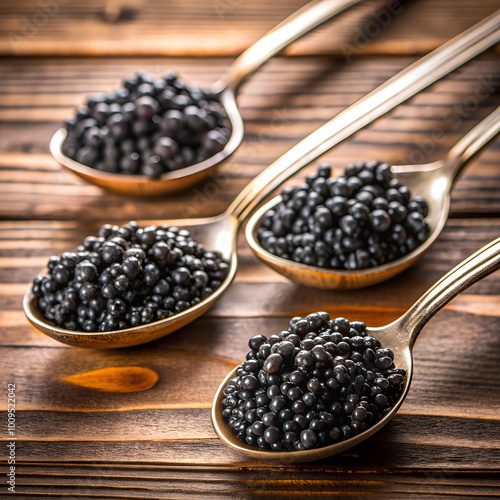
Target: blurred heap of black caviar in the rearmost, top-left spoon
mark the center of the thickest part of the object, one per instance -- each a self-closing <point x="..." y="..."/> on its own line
<point x="149" y="126"/>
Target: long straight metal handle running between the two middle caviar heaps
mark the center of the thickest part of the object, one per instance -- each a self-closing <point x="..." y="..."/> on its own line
<point x="390" y="94"/>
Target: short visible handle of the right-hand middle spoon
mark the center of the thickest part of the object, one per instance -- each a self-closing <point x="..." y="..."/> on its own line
<point x="465" y="149"/>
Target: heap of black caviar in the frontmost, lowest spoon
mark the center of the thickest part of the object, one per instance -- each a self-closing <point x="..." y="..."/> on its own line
<point x="318" y="383"/>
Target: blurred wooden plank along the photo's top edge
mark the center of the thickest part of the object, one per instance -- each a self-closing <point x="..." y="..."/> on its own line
<point x="227" y="27"/>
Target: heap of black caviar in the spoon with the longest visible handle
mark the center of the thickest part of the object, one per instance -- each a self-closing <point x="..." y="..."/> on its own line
<point x="127" y="276"/>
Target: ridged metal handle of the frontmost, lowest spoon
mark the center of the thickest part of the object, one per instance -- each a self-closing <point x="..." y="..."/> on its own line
<point x="477" y="266"/>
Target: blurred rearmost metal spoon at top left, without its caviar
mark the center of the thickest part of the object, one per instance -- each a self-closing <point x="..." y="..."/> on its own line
<point x="225" y="90"/>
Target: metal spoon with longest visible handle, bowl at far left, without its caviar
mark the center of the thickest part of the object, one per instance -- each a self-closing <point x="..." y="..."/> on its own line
<point x="220" y="233"/>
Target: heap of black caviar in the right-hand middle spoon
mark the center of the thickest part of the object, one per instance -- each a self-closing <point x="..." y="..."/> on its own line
<point x="362" y="219"/>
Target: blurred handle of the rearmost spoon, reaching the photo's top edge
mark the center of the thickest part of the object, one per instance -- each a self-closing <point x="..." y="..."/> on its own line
<point x="292" y="28"/>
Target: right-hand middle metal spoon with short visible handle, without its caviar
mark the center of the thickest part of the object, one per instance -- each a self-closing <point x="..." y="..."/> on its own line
<point x="432" y="181"/>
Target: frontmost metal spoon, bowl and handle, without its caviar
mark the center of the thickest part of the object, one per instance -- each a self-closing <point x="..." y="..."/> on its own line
<point x="399" y="336"/>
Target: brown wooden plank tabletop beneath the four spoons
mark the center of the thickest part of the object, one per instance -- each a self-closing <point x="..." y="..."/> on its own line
<point x="74" y="442"/>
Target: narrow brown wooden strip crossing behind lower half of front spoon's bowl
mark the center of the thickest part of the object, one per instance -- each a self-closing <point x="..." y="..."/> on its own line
<point x="167" y="424"/>
